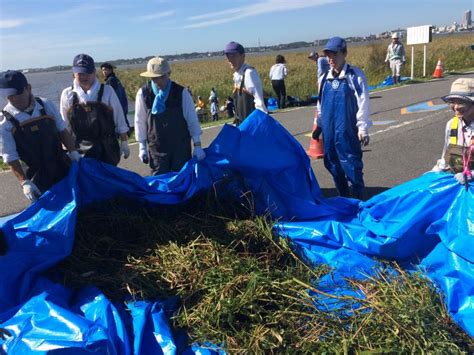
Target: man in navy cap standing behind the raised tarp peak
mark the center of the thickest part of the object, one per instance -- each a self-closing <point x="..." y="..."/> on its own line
<point x="248" y="91"/>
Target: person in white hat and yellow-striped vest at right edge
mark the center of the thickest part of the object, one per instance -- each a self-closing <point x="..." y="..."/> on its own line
<point x="458" y="150"/>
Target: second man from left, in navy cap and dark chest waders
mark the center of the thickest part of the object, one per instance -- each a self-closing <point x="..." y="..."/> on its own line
<point x="93" y="113"/>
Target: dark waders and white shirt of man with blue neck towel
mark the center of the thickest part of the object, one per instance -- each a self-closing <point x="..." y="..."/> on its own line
<point x="168" y="133"/>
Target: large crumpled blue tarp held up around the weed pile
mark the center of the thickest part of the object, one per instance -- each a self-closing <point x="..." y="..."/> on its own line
<point x="428" y="221"/>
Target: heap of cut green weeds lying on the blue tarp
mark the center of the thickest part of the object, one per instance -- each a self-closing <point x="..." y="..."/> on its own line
<point x="245" y="289"/>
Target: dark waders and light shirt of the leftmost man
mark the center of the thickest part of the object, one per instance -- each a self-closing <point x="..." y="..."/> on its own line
<point x="32" y="136"/>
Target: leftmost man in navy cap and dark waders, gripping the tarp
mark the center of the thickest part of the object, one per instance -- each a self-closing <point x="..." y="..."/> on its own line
<point x="32" y="131"/>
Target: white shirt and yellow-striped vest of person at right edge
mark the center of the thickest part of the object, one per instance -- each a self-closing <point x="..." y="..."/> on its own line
<point x="458" y="138"/>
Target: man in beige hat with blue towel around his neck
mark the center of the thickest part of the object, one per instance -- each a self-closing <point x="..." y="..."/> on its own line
<point x="165" y="121"/>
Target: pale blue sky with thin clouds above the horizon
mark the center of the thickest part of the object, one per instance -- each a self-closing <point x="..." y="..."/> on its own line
<point x="44" y="33"/>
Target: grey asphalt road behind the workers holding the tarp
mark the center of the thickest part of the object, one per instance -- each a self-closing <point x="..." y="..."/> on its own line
<point x="402" y="146"/>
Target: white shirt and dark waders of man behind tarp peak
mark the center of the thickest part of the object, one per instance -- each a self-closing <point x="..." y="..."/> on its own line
<point x="247" y="93"/>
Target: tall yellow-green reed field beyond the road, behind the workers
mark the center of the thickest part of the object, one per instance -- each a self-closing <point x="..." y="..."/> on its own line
<point x="201" y="75"/>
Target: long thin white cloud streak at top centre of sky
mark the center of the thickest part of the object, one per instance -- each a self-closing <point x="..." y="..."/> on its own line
<point x="262" y="7"/>
